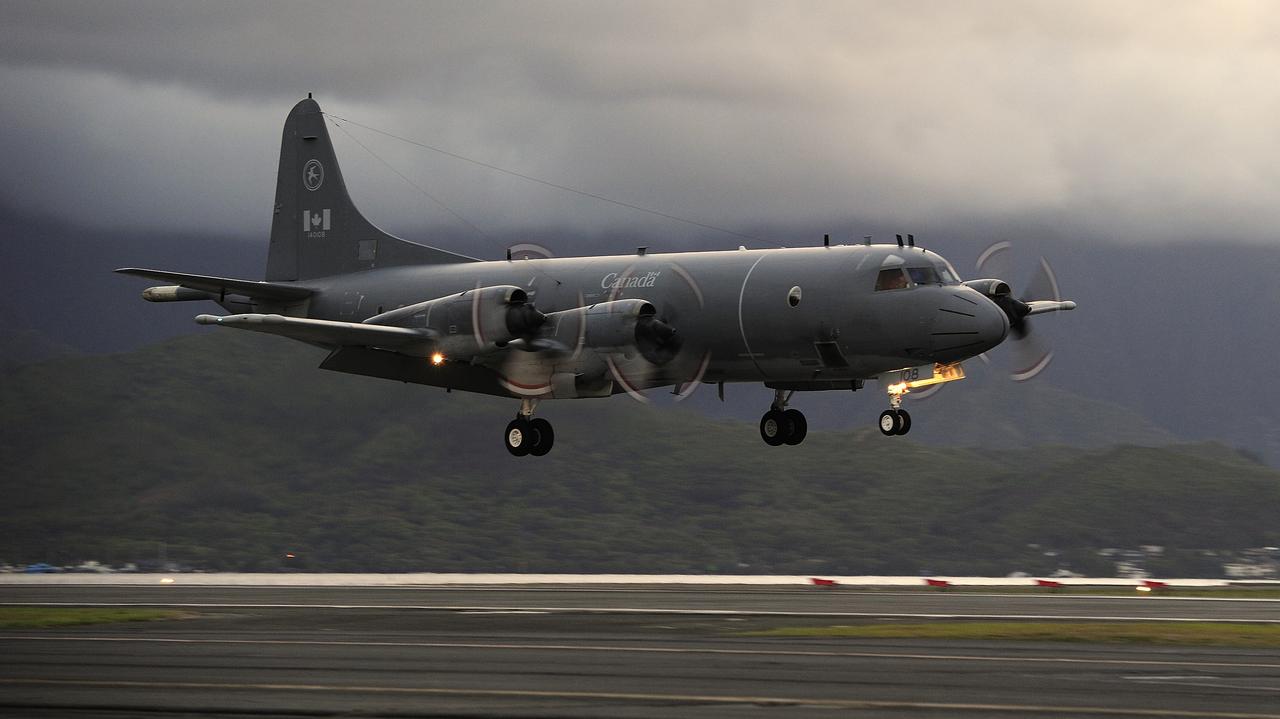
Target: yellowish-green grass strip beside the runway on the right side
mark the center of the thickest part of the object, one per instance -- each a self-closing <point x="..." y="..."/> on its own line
<point x="1191" y="634"/>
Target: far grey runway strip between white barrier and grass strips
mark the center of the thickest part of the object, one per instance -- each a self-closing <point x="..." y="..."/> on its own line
<point x="670" y="599"/>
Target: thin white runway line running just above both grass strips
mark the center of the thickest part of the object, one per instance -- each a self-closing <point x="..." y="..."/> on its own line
<point x="641" y="611"/>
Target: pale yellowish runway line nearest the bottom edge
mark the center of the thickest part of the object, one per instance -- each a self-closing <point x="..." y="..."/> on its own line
<point x="647" y="698"/>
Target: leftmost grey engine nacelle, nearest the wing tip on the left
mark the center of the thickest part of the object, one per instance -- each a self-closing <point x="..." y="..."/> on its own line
<point x="470" y="323"/>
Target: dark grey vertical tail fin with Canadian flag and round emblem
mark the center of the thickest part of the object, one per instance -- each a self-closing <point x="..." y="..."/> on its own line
<point x="317" y="231"/>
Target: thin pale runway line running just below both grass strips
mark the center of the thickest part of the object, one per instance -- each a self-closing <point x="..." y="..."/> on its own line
<point x="662" y="651"/>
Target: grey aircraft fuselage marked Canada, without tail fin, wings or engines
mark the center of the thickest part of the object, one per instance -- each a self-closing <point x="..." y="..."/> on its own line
<point x="792" y="317"/>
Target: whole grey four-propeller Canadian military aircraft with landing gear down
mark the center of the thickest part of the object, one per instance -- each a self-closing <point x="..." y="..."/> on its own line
<point x="797" y="319"/>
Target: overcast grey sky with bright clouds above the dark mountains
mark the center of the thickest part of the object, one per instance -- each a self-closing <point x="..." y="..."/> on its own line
<point x="1149" y="121"/>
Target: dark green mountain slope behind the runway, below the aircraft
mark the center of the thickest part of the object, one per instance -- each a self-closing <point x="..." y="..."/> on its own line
<point x="234" y="450"/>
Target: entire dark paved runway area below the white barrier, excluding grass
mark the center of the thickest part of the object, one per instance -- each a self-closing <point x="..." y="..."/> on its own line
<point x="586" y="652"/>
